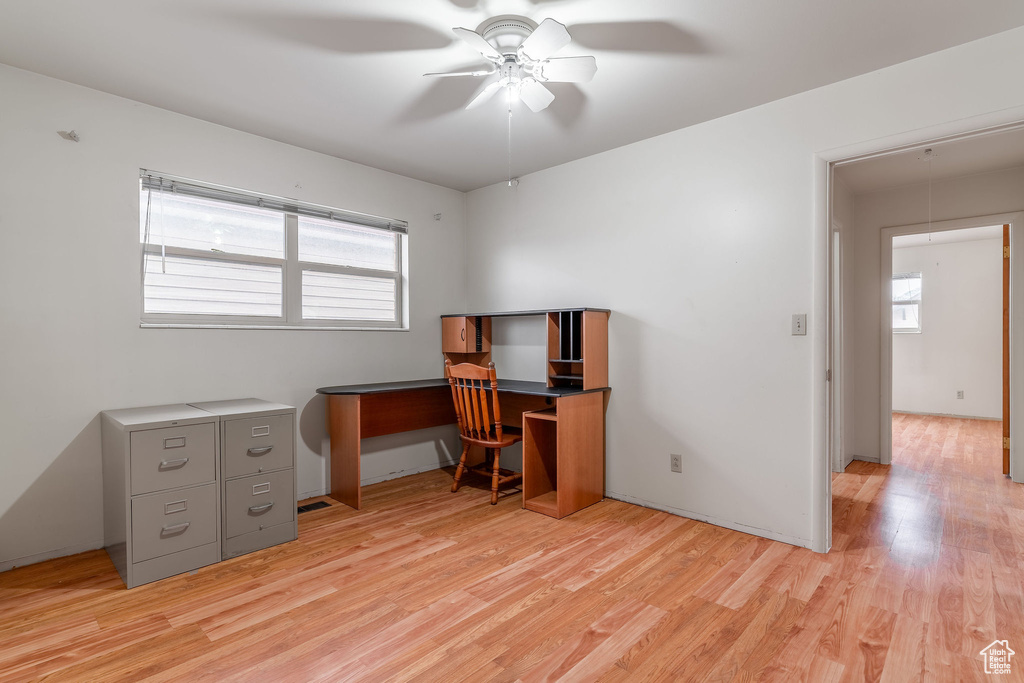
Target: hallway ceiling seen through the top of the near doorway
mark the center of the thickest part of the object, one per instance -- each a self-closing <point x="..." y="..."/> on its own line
<point x="949" y="160"/>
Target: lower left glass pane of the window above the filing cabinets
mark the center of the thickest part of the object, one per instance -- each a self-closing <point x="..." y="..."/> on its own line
<point x="188" y="286"/>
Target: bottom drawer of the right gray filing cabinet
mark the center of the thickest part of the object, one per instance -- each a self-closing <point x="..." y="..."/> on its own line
<point x="259" y="502"/>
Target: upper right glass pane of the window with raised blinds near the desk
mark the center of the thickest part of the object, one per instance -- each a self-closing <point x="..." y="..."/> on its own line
<point x="343" y="244"/>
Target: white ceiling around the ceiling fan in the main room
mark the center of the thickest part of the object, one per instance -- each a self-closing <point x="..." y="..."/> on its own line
<point x="345" y="77"/>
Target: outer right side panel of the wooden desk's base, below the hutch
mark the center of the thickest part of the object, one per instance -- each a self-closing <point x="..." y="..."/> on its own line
<point x="581" y="452"/>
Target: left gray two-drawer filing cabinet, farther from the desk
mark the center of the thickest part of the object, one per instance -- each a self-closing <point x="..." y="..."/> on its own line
<point x="161" y="498"/>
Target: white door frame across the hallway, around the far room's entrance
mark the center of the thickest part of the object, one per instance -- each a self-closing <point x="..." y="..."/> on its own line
<point x="1016" y="222"/>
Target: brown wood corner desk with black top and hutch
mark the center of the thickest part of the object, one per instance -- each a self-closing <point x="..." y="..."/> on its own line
<point x="563" y="418"/>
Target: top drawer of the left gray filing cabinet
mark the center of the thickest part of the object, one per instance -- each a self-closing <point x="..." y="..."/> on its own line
<point x="173" y="457"/>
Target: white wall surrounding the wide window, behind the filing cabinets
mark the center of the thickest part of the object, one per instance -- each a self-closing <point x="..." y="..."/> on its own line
<point x="70" y="302"/>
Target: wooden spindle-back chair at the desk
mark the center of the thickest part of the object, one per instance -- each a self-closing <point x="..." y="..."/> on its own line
<point x="478" y="424"/>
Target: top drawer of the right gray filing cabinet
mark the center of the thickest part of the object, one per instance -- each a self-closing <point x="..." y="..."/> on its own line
<point x="259" y="445"/>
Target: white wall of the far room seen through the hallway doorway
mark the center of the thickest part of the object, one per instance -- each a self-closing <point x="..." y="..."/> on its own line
<point x="960" y="346"/>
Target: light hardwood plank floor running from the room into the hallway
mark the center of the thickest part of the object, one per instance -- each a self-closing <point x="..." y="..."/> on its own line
<point x="433" y="586"/>
